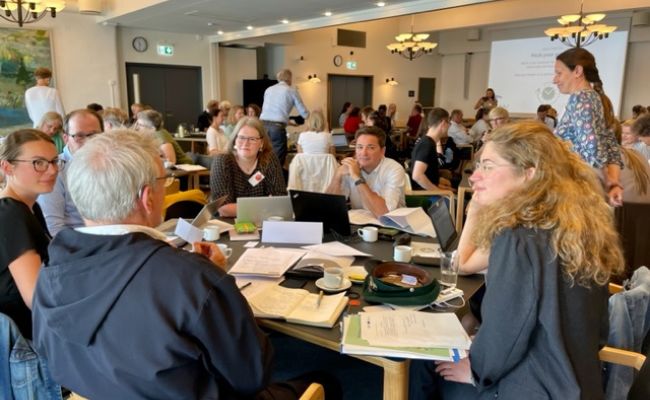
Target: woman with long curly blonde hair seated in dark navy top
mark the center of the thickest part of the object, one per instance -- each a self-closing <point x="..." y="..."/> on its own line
<point x="552" y="249"/>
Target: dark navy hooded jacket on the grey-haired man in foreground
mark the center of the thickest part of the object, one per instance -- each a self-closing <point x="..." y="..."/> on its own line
<point x="130" y="317"/>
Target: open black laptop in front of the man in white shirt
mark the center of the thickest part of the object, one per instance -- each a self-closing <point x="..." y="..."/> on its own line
<point x="330" y="209"/>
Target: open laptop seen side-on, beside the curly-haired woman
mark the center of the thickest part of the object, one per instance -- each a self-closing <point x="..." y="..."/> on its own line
<point x="445" y="229"/>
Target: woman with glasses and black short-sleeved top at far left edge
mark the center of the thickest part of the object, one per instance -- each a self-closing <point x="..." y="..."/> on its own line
<point x="29" y="160"/>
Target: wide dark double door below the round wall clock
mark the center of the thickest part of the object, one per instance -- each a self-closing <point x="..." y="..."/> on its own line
<point x="174" y="91"/>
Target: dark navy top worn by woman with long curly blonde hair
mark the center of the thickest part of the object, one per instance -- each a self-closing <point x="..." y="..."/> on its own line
<point x="540" y="334"/>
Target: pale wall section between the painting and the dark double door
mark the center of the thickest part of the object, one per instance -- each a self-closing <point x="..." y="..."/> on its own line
<point x="84" y="59"/>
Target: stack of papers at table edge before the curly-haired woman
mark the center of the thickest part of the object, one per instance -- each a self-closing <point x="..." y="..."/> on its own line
<point x="407" y="334"/>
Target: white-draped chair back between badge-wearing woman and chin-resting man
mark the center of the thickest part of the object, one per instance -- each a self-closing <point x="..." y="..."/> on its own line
<point x="311" y="172"/>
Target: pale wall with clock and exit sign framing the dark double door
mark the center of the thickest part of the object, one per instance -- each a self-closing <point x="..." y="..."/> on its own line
<point x="189" y="50"/>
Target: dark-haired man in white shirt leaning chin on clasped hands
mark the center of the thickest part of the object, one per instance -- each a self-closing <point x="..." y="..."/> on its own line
<point x="371" y="181"/>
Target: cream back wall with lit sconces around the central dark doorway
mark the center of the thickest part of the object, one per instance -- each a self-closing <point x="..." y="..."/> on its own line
<point x="318" y="50"/>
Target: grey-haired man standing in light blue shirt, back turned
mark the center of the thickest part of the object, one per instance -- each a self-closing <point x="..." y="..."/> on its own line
<point x="279" y="100"/>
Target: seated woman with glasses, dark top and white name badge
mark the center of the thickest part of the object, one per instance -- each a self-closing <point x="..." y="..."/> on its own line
<point x="250" y="168"/>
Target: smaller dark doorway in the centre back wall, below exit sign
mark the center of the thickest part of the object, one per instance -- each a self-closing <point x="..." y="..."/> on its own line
<point x="342" y="88"/>
